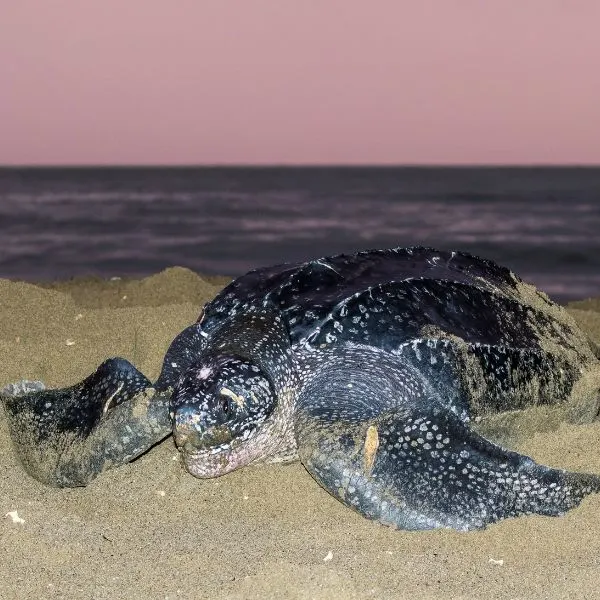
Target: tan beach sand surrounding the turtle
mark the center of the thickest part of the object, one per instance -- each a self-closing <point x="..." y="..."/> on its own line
<point x="150" y="530"/>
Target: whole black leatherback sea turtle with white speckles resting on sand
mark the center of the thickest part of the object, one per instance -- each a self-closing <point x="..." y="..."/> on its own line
<point x="398" y="377"/>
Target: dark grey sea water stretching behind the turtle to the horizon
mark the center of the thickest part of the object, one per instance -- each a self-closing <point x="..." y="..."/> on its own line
<point x="544" y="223"/>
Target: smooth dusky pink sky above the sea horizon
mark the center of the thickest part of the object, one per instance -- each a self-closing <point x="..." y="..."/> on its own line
<point x="299" y="81"/>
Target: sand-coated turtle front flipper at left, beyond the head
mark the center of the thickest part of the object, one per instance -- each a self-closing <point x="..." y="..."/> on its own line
<point x="66" y="437"/>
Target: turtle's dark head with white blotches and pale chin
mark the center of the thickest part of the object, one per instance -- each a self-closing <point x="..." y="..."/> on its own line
<point x="221" y="410"/>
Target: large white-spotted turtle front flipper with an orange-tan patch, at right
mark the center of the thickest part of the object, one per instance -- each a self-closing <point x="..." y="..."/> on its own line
<point x="396" y="455"/>
